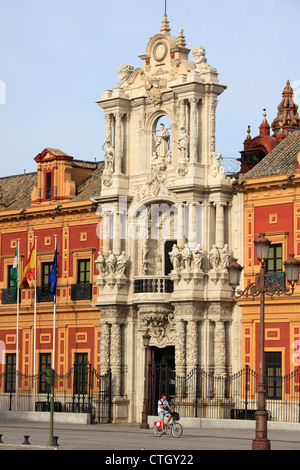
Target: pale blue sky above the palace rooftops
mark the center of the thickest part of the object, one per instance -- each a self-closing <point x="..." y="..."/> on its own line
<point x="58" y="56"/>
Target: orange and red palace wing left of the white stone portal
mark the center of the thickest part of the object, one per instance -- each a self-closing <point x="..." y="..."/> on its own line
<point x="51" y="207"/>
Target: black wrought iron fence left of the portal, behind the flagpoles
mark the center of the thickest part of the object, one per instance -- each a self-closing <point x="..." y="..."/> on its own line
<point x="81" y="390"/>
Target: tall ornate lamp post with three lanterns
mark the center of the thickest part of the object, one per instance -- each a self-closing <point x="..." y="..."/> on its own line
<point x="262" y="286"/>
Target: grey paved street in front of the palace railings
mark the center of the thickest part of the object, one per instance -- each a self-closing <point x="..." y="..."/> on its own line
<point x="113" y="438"/>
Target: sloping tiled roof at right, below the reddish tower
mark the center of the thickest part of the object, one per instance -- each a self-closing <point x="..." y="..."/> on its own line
<point x="281" y="160"/>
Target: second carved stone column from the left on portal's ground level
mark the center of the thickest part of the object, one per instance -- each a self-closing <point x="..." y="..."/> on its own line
<point x="115" y="358"/>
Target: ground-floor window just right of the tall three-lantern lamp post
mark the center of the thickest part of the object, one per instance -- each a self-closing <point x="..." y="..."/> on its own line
<point x="273" y="375"/>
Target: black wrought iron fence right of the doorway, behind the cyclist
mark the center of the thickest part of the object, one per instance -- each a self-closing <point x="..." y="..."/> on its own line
<point x="203" y="395"/>
